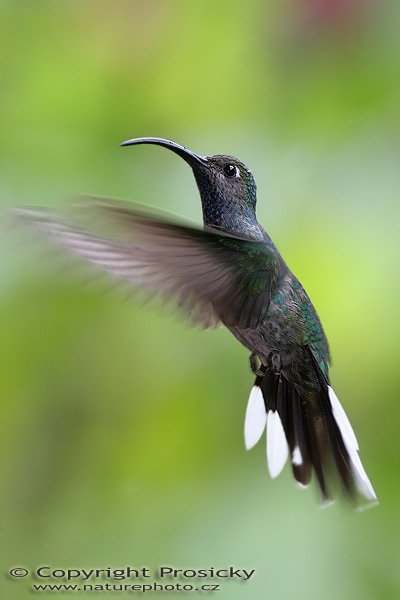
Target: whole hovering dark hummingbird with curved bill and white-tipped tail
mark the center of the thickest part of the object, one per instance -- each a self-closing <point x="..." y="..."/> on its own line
<point x="230" y="273"/>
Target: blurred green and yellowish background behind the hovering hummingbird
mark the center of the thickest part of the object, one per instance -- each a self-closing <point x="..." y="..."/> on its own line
<point x="121" y="426"/>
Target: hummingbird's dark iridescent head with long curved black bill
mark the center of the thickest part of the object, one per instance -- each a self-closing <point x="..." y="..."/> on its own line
<point x="227" y="188"/>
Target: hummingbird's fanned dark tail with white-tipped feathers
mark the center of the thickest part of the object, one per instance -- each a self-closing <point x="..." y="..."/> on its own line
<point x="313" y="430"/>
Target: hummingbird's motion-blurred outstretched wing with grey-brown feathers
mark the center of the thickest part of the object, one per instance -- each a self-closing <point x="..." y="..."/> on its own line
<point x="213" y="276"/>
